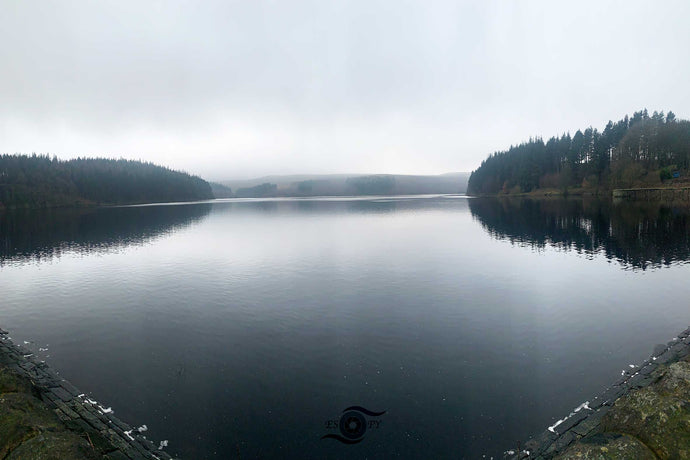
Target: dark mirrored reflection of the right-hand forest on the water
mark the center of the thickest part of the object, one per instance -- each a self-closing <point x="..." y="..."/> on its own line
<point x="638" y="235"/>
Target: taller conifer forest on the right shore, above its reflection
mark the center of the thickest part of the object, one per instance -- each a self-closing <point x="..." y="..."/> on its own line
<point x="639" y="151"/>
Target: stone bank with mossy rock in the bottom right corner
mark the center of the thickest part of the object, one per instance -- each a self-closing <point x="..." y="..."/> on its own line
<point x="644" y="415"/>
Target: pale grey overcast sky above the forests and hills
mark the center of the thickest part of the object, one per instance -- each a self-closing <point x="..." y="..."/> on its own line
<point x="237" y="89"/>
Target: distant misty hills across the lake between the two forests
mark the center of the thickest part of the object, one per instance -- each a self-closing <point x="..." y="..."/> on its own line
<point x="348" y="184"/>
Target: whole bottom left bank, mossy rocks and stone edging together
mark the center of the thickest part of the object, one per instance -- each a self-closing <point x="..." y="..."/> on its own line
<point x="43" y="411"/>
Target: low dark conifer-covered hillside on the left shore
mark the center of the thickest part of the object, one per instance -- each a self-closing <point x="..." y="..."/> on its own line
<point x="40" y="181"/>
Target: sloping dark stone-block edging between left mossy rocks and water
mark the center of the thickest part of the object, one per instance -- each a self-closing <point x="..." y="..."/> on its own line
<point x="108" y="436"/>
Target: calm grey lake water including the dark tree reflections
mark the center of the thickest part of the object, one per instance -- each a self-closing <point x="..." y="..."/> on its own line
<point x="243" y="328"/>
